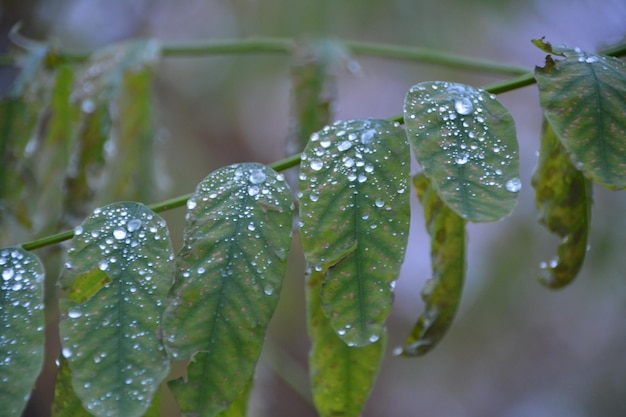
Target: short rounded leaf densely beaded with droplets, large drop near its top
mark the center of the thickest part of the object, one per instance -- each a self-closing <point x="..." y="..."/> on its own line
<point x="465" y="141"/>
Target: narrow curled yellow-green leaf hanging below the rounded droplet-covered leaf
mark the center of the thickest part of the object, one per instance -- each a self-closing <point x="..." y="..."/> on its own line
<point x="442" y="292"/>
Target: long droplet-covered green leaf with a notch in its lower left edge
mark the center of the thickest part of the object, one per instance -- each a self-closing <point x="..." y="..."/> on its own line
<point x="229" y="276"/>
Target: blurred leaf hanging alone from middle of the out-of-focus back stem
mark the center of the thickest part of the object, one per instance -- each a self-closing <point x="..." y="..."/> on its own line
<point x="315" y="64"/>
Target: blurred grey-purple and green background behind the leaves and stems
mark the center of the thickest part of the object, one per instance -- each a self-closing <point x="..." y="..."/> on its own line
<point x="516" y="348"/>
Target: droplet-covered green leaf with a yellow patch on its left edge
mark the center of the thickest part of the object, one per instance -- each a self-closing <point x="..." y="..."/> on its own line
<point x="112" y="339"/>
